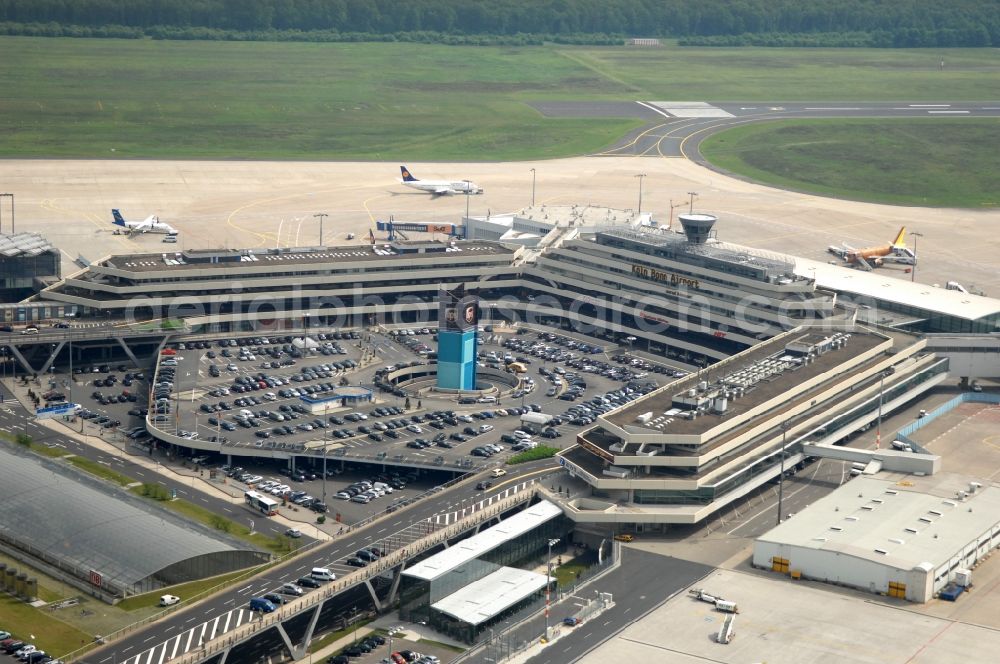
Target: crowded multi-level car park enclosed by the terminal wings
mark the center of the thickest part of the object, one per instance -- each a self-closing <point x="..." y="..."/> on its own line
<point x="246" y="392"/>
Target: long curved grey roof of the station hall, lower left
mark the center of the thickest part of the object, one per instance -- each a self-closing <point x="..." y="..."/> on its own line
<point x="112" y="545"/>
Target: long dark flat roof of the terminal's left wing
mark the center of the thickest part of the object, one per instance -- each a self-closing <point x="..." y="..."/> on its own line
<point x="305" y="256"/>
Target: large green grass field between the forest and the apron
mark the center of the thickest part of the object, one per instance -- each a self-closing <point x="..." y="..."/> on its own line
<point x="162" y="99"/>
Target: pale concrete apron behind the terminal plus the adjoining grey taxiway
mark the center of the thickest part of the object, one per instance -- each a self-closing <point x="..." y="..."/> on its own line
<point x="241" y="204"/>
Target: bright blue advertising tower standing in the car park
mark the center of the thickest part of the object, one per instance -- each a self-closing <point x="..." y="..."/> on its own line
<point x="458" y="317"/>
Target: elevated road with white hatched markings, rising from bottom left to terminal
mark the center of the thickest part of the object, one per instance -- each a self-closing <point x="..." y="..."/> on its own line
<point x="189" y="627"/>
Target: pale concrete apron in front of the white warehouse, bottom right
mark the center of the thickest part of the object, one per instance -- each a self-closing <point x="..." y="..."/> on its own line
<point x="794" y="622"/>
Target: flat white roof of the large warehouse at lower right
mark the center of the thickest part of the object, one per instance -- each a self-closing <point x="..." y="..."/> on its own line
<point x="902" y="522"/>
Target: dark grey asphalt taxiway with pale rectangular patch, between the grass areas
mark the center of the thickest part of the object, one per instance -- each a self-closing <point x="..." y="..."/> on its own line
<point x="679" y="127"/>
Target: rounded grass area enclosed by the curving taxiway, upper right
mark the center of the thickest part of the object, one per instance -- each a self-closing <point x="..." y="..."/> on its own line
<point x="910" y="162"/>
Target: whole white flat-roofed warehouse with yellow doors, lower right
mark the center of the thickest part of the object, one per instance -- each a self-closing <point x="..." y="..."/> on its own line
<point x="903" y="536"/>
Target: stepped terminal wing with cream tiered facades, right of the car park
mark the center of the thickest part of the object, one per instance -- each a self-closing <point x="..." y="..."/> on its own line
<point x="686" y="450"/>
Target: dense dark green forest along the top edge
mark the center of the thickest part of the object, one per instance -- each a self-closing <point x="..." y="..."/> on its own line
<point x="825" y="23"/>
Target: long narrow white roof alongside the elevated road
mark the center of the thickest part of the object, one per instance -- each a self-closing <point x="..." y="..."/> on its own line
<point x="472" y="548"/>
